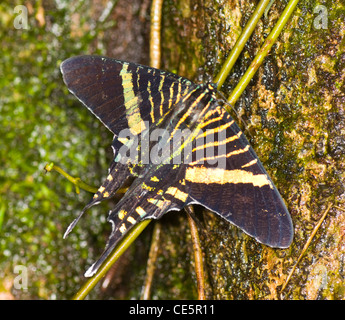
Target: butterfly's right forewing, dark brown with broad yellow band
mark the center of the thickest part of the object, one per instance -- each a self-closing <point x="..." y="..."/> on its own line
<point x="248" y="196"/>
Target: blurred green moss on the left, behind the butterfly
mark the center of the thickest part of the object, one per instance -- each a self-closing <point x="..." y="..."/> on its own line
<point x="41" y="122"/>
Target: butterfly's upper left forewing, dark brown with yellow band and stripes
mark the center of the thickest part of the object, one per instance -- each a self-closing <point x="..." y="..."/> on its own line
<point x="121" y="94"/>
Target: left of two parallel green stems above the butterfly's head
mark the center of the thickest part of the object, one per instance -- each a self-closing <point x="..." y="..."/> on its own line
<point x="240" y="43"/>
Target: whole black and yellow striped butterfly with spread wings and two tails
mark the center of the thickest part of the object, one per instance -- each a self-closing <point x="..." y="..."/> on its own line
<point x="179" y="144"/>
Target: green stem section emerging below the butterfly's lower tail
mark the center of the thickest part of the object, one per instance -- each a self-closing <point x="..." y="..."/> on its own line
<point x="119" y="250"/>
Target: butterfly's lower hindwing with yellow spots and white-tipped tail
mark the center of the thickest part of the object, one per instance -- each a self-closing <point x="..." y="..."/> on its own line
<point x="149" y="197"/>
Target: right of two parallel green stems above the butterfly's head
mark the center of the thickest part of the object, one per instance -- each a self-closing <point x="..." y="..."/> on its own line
<point x="259" y="58"/>
